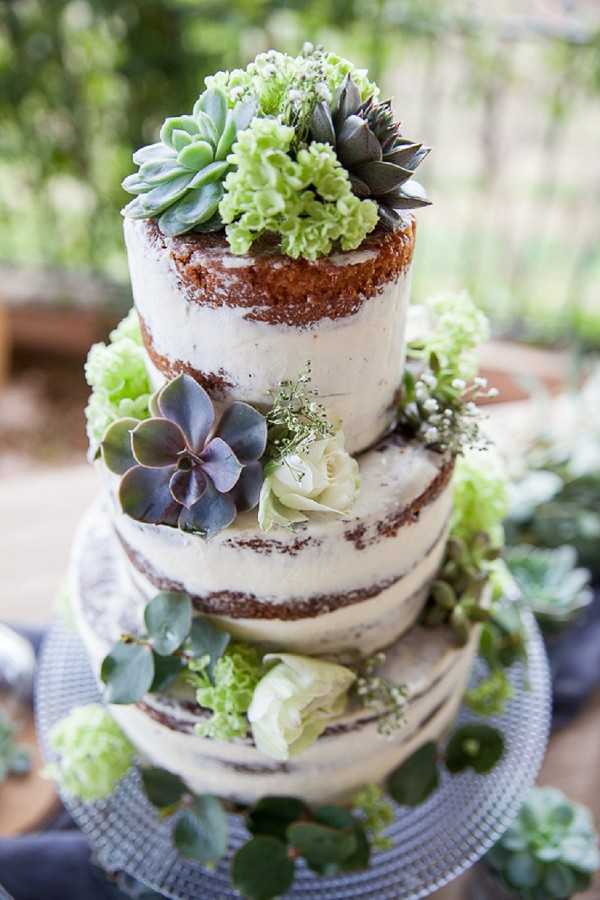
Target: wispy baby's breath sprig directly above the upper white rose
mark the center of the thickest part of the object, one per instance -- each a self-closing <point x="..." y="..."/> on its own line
<point x="296" y="419"/>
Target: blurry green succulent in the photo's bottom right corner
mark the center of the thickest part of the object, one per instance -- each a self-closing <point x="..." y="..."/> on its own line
<point x="550" y="852"/>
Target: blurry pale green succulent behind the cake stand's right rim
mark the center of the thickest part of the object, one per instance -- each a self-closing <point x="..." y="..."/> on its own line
<point x="550" y="583"/>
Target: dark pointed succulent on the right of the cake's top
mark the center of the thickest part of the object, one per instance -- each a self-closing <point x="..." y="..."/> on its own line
<point x="368" y="143"/>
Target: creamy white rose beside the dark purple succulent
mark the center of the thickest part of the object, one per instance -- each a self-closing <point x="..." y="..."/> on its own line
<point x="323" y="478"/>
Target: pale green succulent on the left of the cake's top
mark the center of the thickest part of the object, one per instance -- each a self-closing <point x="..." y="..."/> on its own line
<point x="180" y="178"/>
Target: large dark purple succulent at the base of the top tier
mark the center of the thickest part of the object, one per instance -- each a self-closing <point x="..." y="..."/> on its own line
<point x="178" y="469"/>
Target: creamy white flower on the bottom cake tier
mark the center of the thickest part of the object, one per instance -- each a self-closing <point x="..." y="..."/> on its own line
<point x="294" y="702"/>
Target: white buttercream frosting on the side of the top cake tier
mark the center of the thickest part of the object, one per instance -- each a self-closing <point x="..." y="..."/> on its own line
<point x="356" y="361"/>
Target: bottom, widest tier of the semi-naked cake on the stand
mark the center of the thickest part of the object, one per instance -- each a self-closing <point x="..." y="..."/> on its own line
<point x="351" y="751"/>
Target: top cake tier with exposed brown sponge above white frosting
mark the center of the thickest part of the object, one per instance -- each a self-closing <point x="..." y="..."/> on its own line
<point x="242" y="324"/>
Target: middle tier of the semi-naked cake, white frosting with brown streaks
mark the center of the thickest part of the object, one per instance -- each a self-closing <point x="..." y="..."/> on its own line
<point x="333" y="584"/>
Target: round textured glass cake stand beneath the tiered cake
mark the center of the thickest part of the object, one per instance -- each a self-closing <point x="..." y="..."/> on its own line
<point x="432" y="844"/>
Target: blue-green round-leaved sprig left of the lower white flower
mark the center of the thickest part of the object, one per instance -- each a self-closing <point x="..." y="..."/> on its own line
<point x="151" y="661"/>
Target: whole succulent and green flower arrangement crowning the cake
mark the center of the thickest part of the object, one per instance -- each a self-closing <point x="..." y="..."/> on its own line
<point x="298" y="147"/>
